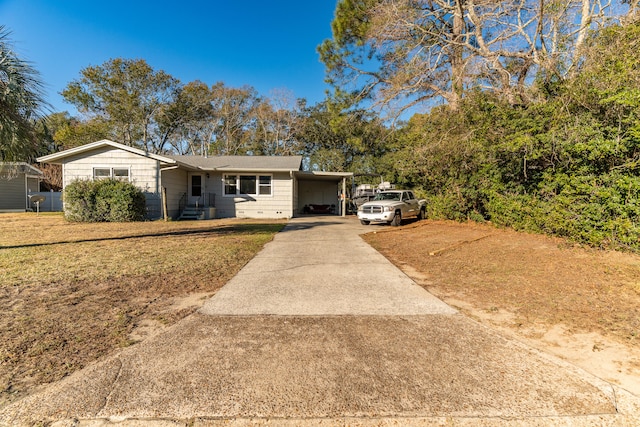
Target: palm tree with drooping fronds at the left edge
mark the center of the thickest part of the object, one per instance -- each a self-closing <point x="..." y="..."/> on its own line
<point x="21" y="103"/>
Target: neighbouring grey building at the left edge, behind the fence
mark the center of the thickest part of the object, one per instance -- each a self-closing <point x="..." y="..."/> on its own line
<point x="17" y="181"/>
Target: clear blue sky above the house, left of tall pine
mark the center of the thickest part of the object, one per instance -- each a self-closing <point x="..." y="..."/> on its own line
<point x="267" y="44"/>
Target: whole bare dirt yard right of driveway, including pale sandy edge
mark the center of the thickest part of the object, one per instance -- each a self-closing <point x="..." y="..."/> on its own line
<point x="580" y="304"/>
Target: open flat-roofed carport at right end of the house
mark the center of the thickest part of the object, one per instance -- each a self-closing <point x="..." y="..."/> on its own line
<point x="324" y="190"/>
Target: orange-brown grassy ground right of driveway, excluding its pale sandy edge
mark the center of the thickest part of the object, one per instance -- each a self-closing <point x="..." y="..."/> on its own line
<point x="539" y="280"/>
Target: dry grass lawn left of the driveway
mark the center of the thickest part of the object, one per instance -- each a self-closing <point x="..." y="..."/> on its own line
<point x="71" y="293"/>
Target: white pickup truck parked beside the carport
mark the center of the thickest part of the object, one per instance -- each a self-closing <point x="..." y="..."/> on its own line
<point x="392" y="207"/>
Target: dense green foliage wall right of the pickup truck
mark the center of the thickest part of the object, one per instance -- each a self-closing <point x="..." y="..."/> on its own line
<point x="566" y="165"/>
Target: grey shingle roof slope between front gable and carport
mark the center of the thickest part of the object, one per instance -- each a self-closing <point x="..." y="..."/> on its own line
<point x="248" y="163"/>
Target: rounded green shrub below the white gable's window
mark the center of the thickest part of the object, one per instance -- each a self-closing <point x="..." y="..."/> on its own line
<point x="105" y="200"/>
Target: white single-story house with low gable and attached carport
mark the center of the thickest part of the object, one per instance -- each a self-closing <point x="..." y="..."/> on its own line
<point x="218" y="186"/>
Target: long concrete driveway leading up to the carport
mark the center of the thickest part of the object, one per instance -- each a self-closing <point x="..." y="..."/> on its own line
<point x="321" y="329"/>
